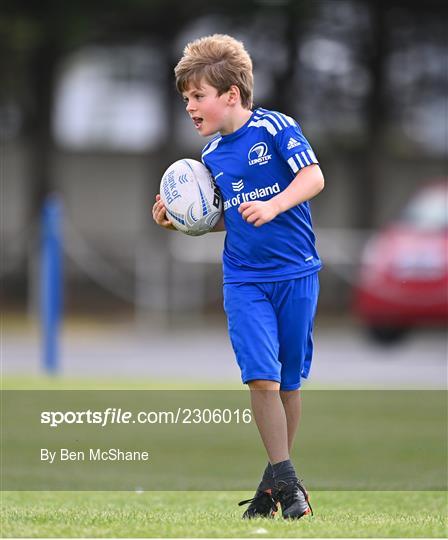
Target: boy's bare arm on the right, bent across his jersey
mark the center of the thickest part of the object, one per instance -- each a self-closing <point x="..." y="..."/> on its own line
<point x="306" y="185"/>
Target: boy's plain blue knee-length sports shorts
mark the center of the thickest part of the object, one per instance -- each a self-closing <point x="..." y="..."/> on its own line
<point x="270" y="327"/>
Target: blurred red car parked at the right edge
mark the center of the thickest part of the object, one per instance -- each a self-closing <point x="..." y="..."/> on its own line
<point x="403" y="282"/>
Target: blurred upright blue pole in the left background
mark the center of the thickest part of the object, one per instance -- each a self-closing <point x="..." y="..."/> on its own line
<point x="51" y="281"/>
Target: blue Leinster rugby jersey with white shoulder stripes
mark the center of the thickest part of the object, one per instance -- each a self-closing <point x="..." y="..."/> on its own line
<point x="256" y="162"/>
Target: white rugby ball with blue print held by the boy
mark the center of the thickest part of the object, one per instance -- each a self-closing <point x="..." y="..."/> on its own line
<point x="192" y="200"/>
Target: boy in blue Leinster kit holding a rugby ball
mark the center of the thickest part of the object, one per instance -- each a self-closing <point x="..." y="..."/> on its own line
<point x="266" y="172"/>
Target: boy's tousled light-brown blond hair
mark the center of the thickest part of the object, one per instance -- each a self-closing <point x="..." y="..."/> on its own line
<point x="221" y="61"/>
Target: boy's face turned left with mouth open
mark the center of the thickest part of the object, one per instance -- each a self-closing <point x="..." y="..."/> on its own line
<point x="207" y="110"/>
